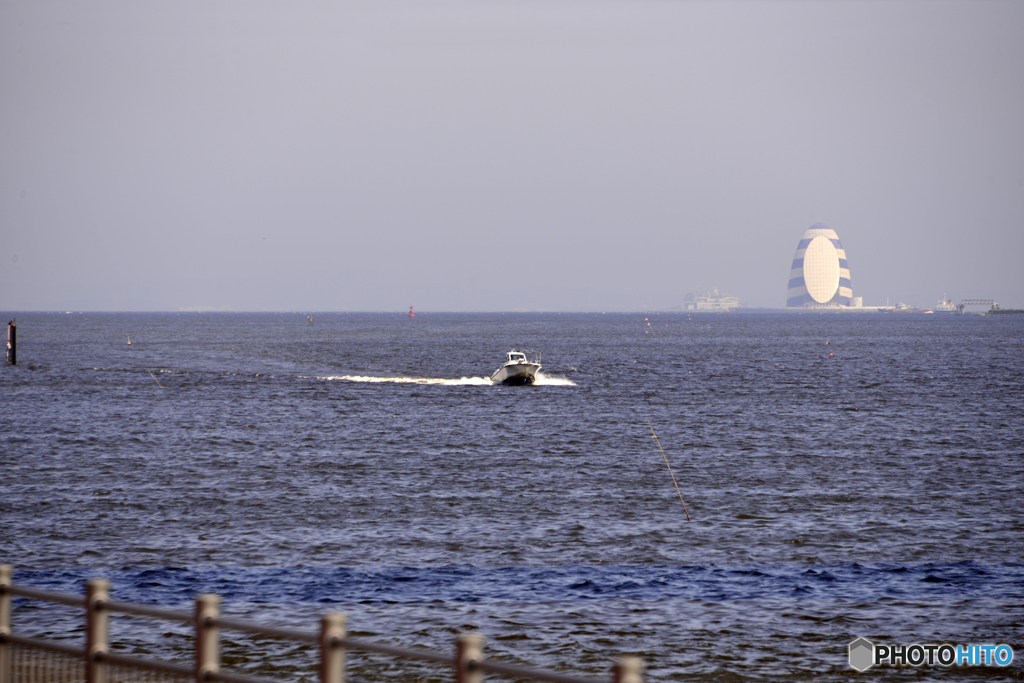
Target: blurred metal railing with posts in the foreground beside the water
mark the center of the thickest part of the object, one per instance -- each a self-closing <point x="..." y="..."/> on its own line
<point x="468" y="662"/>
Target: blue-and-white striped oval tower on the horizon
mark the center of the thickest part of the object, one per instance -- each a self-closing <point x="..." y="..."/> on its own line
<point x="821" y="276"/>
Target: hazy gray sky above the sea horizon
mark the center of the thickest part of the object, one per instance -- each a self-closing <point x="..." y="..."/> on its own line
<point x="247" y="155"/>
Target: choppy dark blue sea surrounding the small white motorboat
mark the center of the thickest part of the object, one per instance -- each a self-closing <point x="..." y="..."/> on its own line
<point x="845" y="476"/>
